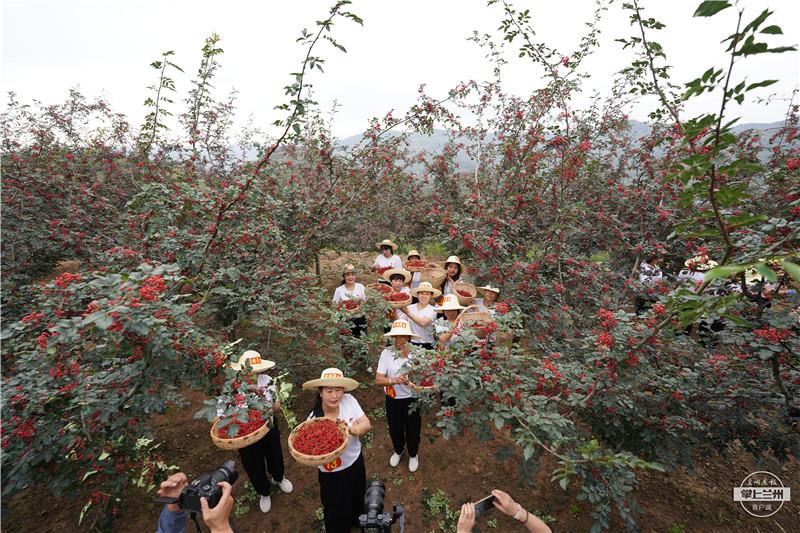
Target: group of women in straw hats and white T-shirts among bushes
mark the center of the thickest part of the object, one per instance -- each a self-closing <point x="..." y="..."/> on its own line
<point x="429" y="322"/>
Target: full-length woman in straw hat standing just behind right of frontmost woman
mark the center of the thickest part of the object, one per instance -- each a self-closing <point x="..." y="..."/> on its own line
<point x="405" y="422"/>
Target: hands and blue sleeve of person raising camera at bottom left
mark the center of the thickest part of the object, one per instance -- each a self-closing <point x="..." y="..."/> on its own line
<point x="173" y="519"/>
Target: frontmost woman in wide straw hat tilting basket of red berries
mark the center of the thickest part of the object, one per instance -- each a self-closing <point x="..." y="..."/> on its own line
<point x="342" y="482"/>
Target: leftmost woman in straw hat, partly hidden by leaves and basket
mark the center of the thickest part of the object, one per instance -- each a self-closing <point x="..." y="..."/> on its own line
<point x="266" y="454"/>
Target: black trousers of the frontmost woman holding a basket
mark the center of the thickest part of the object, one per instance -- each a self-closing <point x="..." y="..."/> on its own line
<point x="342" y="495"/>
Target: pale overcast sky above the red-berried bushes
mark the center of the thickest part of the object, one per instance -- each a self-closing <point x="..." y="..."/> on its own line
<point x="105" y="47"/>
